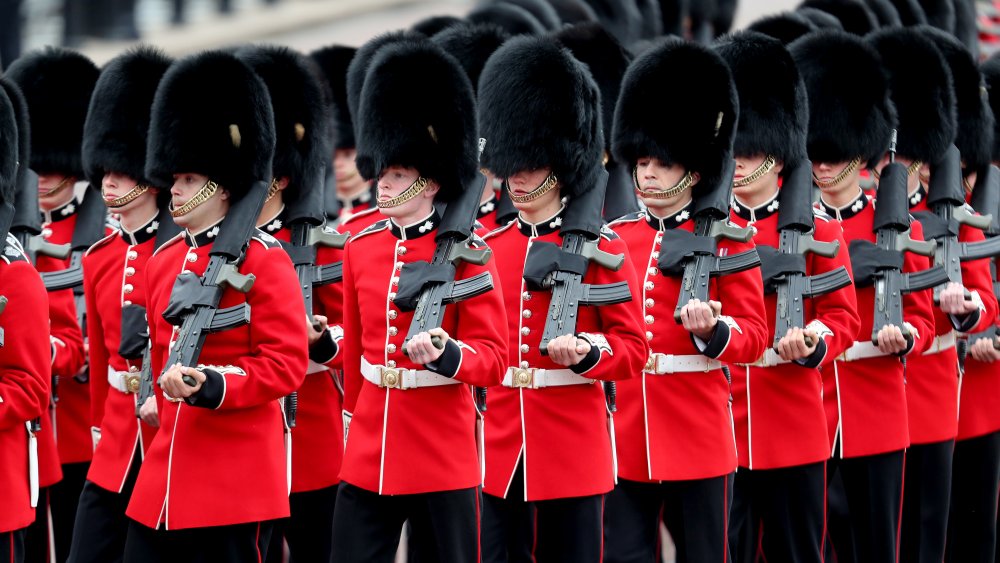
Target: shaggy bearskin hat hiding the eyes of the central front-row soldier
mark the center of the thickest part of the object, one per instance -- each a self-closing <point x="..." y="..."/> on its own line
<point x="539" y="107"/>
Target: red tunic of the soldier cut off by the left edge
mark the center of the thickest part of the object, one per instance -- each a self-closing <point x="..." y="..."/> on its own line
<point x="24" y="380"/>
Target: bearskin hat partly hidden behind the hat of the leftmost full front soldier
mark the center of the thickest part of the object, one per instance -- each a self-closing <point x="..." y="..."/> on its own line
<point x="114" y="135"/>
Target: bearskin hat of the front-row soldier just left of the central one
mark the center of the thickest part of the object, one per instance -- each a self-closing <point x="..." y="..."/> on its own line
<point x="430" y="128"/>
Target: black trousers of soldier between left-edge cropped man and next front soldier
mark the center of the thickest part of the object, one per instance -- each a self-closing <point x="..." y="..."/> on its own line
<point x="101" y="525"/>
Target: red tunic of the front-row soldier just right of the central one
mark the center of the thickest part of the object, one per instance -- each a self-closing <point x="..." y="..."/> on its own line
<point x="679" y="426"/>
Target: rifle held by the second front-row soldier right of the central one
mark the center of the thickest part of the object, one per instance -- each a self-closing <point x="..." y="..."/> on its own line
<point x="796" y="226"/>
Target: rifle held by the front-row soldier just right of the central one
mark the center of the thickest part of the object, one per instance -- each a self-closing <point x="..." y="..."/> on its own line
<point x="695" y="255"/>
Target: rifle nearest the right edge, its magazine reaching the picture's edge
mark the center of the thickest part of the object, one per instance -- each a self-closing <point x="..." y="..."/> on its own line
<point x="946" y="199"/>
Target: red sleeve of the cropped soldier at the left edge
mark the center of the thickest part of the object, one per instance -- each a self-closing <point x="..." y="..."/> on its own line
<point x="25" y="355"/>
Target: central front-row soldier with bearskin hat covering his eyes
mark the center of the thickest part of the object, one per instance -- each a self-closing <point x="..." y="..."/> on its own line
<point x="549" y="447"/>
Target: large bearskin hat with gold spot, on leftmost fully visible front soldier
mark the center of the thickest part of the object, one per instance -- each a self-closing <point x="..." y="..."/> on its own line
<point x="212" y="116"/>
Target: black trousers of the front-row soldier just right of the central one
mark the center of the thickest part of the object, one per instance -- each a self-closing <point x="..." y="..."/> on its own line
<point x="696" y="513"/>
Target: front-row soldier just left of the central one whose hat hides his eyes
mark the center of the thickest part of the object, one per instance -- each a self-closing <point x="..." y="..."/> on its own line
<point x="411" y="449"/>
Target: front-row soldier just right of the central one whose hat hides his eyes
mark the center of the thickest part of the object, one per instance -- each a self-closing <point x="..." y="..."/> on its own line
<point x="674" y="426"/>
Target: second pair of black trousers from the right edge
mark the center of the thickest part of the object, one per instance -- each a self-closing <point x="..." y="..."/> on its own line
<point x="926" y="498"/>
